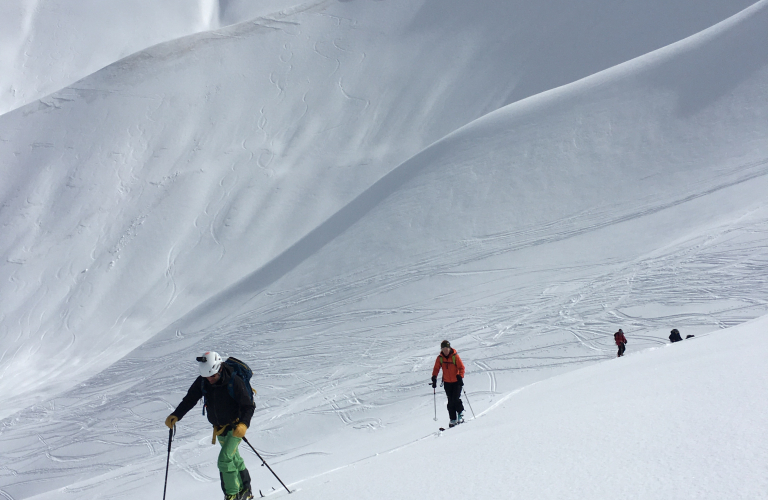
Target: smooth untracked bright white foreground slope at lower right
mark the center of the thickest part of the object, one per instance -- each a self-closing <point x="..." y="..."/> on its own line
<point x="681" y="421"/>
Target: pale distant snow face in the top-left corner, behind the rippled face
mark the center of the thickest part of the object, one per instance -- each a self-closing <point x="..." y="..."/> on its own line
<point x="49" y="44"/>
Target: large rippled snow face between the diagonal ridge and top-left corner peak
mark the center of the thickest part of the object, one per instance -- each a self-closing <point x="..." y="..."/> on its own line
<point x="154" y="184"/>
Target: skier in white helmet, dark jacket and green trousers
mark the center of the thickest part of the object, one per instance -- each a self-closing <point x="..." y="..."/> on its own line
<point x="230" y="408"/>
